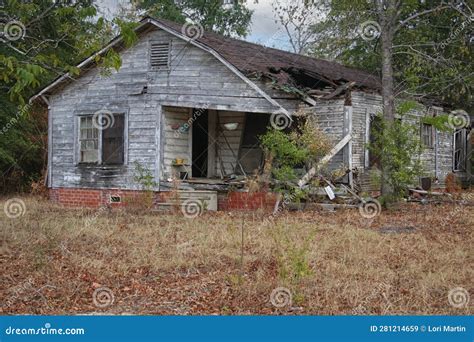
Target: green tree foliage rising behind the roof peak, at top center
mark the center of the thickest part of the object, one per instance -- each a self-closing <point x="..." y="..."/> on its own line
<point x="211" y="14"/>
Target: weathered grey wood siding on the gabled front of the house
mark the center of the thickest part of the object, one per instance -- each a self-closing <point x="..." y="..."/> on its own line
<point x="195" y="79"/>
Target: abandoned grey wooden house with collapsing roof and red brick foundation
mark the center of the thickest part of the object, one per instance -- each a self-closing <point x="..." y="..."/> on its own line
<point x="192" y="108"/>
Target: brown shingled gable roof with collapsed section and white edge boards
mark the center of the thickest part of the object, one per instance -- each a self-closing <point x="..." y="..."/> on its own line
<point x="252" y="60"/>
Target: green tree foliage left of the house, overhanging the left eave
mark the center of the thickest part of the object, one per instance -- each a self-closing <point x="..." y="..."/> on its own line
<point x="46" y="39"/>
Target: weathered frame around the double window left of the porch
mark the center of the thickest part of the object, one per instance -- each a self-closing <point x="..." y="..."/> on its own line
<point x="77" y="141"/>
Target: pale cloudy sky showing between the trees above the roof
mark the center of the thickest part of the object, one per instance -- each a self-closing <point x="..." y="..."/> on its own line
<point x="263" y="29"/>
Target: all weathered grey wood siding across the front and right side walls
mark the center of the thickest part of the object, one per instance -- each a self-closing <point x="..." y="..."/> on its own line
<point x="152" y="100"/>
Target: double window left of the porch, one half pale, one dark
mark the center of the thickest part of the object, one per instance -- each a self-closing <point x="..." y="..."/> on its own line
<point x="102" y="144"/>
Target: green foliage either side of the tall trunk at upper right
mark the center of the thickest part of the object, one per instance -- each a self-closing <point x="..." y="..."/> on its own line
<point x="432" y="54"/>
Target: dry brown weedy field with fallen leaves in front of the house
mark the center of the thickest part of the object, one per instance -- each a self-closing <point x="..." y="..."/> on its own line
<point x="416" y="259"/>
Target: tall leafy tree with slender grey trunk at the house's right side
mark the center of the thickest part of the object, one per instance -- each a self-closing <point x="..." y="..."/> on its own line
<point x="420" y="48"/>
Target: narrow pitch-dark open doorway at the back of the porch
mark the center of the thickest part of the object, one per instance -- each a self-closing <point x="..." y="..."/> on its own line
<point x="200" y="143"/>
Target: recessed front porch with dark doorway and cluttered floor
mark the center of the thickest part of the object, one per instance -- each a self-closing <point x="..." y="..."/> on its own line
<point x="208" y="149"/>
